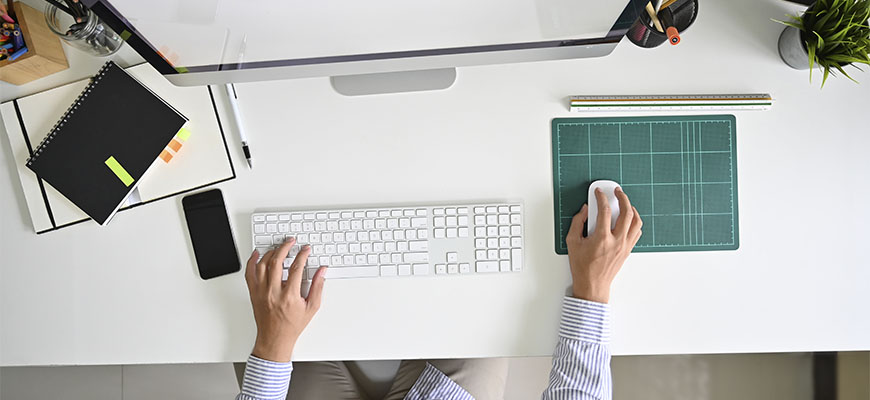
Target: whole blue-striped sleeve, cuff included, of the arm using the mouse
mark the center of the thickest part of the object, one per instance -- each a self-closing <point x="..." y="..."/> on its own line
<point x="581" y="361"/>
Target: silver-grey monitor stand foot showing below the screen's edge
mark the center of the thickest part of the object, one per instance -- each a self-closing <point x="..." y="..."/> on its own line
<point x="394" y="82"/>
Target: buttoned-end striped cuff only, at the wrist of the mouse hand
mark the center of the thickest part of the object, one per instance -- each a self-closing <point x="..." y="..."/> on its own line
<point x="585" y="320"/>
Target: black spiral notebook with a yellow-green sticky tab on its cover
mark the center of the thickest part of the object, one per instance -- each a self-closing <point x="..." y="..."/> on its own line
<point x="105" y="142"/>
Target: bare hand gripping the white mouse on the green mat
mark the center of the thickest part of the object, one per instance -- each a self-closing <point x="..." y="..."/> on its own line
<point x="596" y="259"/>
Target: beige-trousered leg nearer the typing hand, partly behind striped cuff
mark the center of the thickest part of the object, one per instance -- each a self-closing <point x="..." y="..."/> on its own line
<point x="318" y="380"/>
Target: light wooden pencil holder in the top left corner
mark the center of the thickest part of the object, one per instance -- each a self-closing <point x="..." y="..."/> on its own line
<point x="44" y="55"/>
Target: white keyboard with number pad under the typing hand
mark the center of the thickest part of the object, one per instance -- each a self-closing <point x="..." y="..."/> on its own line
<point x="399" y="242"/>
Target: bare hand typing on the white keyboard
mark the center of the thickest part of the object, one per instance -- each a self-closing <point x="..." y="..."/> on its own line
<point x="280" y="310"/>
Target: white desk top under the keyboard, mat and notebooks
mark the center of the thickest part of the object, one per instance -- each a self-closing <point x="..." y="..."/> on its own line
<point x="128" y="293"/>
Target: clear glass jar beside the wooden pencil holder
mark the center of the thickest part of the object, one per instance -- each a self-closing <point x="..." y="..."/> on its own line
<point x="90" y="36"/>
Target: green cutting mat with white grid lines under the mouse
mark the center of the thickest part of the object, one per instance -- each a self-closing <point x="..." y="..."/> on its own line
<point x="679" y="171"/>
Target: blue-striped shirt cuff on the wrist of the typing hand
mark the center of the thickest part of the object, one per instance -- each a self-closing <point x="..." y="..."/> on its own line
<point x="265" y="380"/>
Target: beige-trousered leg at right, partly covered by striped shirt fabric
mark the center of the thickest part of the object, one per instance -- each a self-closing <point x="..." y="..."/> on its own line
<point x="483" y="378"/>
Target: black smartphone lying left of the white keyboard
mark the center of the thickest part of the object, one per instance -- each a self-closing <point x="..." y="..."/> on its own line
<point x="211" y="234"/>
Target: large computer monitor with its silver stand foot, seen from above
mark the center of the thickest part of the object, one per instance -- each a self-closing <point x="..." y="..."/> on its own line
<point x="365" y="46"/>
